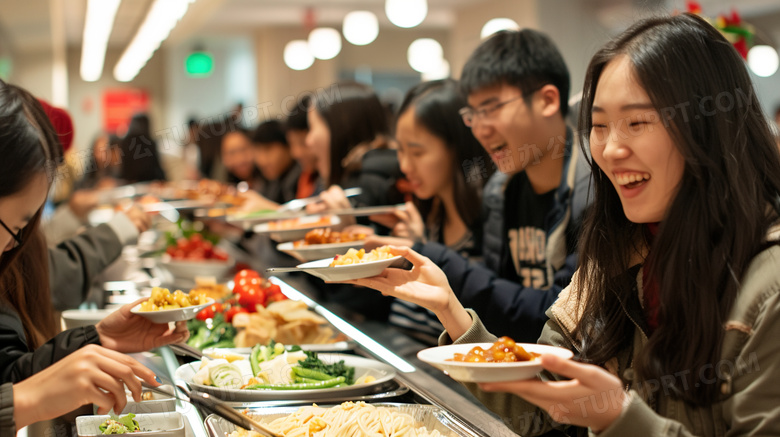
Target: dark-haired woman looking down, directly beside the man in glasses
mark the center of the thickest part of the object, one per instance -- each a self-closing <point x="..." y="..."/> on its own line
<point x="433" y="148"/>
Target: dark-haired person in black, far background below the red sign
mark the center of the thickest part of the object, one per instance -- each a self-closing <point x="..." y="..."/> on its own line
<point x="139" y="152"/>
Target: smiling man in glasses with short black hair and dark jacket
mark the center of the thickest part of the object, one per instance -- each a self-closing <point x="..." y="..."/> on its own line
<point x="517" y="86"/>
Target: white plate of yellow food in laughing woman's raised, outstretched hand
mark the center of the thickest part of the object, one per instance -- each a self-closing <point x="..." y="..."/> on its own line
<point x="355" y="264"/>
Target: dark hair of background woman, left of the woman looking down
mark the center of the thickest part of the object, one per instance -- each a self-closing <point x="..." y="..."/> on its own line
<point x="354" y="116"/>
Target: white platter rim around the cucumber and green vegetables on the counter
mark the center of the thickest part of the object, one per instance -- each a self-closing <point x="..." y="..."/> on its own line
<point x="381" y="371"/>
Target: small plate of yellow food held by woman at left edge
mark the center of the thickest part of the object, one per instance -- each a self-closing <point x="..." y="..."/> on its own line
<point x="164" y="306"/>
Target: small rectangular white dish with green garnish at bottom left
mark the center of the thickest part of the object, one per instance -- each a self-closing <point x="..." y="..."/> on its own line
<point x="169" y="424"/>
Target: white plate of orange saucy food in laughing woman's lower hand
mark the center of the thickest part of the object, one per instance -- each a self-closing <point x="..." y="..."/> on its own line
<point x="501" y="361"/>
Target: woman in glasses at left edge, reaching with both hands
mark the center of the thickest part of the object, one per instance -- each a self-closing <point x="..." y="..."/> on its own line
<point x="29" y="341"/>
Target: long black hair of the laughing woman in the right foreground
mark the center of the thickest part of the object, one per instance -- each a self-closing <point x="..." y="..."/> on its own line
<point x="726" y="201"/>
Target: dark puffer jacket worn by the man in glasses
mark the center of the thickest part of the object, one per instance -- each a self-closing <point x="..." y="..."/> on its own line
<point x="506" y="307"/>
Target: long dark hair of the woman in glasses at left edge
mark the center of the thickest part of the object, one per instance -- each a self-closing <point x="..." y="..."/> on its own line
<point x="29" y="147"/>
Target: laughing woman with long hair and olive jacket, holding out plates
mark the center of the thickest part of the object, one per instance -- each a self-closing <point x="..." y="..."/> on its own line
<point x="674" y="313"/>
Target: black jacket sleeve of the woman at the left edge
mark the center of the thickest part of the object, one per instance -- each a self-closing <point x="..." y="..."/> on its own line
<point x="18" y="362"/>
